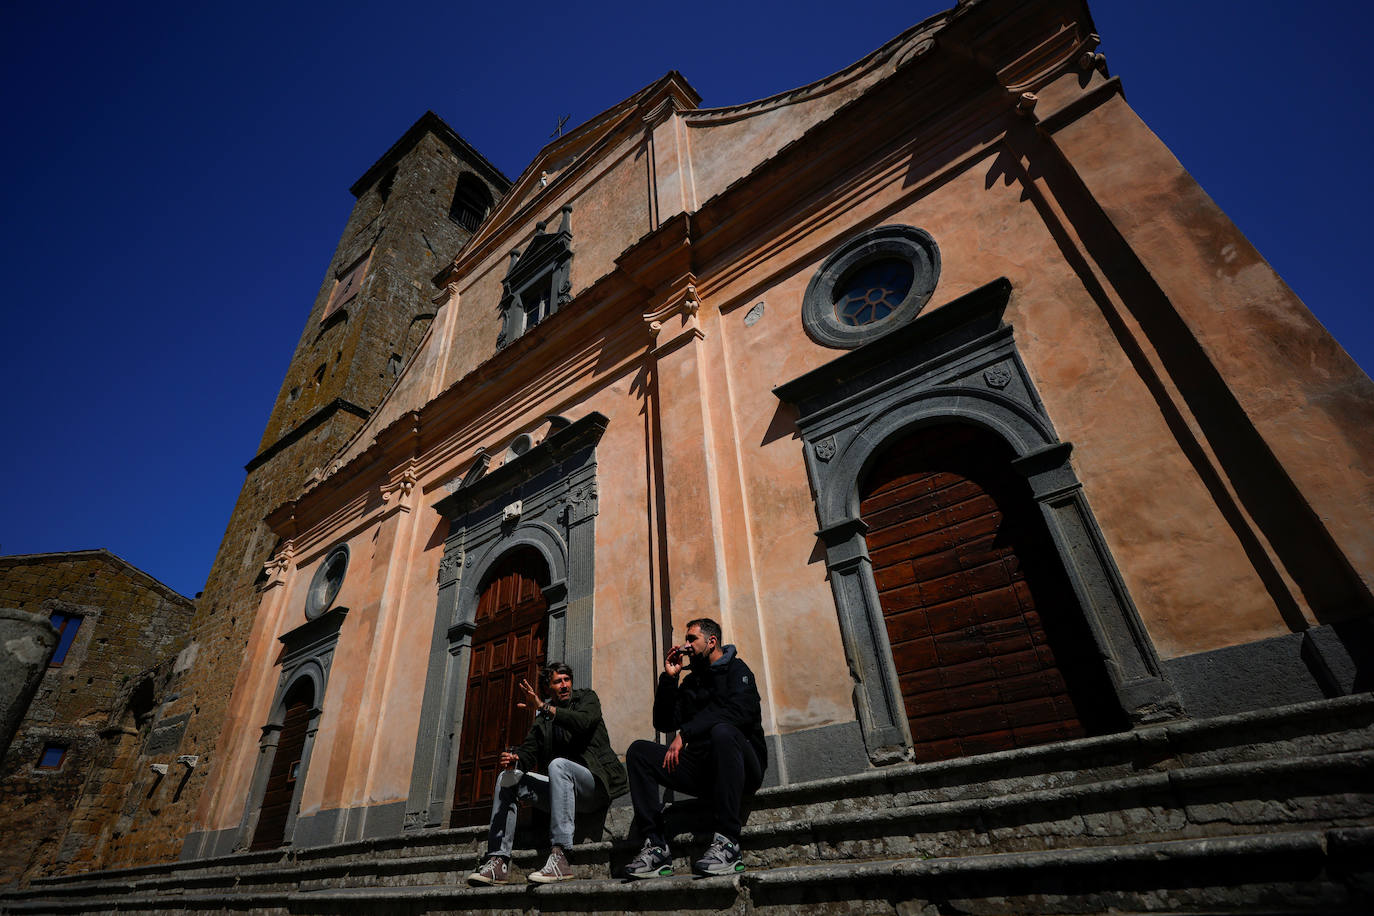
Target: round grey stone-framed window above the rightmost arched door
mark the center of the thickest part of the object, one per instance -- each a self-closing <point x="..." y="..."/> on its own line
<point x="876" y="284"/>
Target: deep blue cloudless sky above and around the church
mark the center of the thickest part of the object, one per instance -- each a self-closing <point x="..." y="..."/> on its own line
<point x="179" y="178"/>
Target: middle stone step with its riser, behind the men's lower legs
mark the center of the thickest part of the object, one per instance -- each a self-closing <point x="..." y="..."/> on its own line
<point x="1232" y="799"/>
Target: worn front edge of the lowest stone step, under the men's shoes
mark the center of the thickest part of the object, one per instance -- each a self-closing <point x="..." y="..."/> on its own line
<point x="1349" y="849"/>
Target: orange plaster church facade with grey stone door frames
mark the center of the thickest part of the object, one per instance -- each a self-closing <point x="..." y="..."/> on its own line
<point x="938" y="382"/>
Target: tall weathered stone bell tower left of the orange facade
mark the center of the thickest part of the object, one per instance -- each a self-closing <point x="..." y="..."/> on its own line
<point x="414" y="211"/>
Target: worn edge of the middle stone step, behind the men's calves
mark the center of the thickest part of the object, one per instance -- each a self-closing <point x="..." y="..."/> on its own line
<point x="1357" y="763"/>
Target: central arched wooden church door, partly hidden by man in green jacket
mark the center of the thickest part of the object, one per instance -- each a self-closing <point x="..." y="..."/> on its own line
<point x="508" y="646"/>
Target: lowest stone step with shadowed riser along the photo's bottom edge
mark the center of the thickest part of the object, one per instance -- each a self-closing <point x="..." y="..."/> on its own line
<point x="1285" y="873"/>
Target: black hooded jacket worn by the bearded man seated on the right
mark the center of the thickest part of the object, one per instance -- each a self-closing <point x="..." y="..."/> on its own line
<point x="708" y="696"/>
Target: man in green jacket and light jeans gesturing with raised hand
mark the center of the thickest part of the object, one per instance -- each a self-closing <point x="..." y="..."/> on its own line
<point x="570" y="742"/>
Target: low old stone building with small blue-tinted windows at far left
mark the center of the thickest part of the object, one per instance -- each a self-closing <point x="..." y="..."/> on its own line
<point x="69" y="781"/>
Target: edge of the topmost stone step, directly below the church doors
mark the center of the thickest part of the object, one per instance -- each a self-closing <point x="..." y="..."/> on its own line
<point x="1329" y="712"/>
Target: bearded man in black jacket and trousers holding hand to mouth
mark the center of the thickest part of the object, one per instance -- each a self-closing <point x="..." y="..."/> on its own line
<point x="719" y="753"/>
